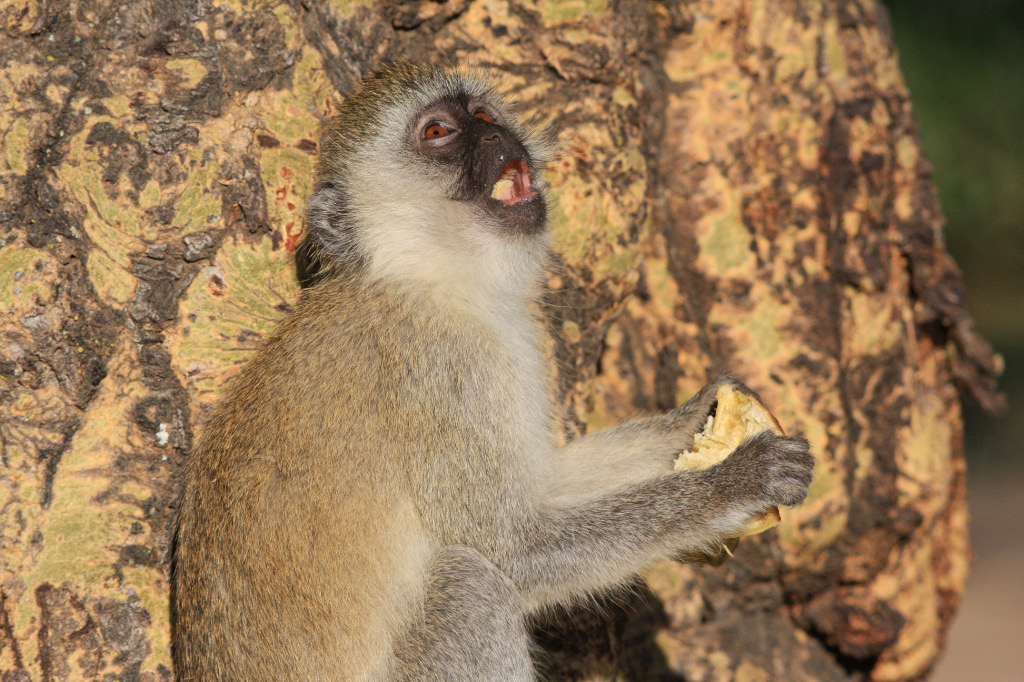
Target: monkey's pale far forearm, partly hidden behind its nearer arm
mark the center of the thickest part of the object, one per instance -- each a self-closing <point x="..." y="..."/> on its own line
<point x="634" y="451"/>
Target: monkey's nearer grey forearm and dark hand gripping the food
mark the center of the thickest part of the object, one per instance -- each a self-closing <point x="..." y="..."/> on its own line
<point x="595" y="544"/>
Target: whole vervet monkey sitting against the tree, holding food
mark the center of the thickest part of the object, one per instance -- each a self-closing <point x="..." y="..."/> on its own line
<point x="378" y="498"/>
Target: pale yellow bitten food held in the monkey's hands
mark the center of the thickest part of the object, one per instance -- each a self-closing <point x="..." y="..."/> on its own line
<point x="738" y="418"/>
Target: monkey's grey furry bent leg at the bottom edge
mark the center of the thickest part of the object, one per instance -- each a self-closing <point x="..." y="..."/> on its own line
<point x="473" y="627"/>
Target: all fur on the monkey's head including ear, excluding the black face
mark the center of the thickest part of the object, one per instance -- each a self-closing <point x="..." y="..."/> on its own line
<point x="390" y="205"/>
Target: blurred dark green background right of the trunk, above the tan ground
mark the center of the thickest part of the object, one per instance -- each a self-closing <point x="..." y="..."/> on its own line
<point x="964" y="63"/>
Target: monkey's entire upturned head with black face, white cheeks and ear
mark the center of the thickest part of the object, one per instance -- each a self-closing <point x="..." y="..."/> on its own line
<point x="428" y="177"/>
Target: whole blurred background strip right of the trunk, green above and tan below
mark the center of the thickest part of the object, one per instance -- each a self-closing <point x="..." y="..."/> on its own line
<point x="964" y="63"/>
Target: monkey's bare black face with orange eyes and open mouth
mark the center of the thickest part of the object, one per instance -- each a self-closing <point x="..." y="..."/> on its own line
<point x="490" y="165"/>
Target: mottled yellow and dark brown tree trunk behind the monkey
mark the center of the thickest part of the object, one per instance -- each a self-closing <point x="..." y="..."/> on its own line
<point x="740" y="186"/>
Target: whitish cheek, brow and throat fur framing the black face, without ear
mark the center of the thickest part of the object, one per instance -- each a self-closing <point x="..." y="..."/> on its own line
<point x="410" y="232"/>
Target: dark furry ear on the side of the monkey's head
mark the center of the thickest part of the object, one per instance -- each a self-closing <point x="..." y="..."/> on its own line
<point x="330" y="241"/>
